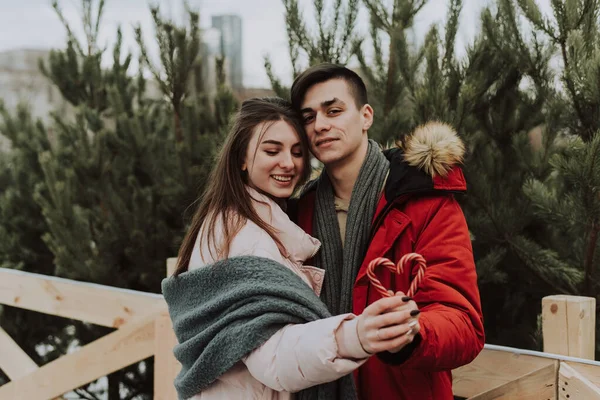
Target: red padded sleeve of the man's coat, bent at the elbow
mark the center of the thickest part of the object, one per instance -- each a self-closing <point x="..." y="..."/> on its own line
<point x="451" y="320"/>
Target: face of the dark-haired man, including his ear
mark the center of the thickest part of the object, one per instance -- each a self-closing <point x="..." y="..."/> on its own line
<point x="336" y="128"/>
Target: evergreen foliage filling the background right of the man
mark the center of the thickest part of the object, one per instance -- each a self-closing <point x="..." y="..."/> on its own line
<point x="532" y="164"/>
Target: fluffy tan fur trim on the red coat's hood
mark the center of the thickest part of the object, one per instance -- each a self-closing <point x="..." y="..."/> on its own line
<point x="434" y="147"/>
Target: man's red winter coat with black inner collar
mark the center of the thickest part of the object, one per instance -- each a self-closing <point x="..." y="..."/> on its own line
<point x="417" y="213"/>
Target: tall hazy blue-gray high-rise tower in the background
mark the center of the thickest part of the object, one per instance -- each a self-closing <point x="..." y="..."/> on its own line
<point x="230" y="27"/>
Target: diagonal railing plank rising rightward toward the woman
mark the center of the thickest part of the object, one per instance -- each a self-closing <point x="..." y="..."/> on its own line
<point x="127" y="345"/>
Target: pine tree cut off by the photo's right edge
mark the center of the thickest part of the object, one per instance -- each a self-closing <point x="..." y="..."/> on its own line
<point x="569" y="202"/>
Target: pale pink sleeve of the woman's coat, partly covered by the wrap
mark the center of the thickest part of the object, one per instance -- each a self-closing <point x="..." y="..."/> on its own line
<point x="304" y="355"/>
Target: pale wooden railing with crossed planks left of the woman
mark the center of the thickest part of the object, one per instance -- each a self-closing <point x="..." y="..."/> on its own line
<point x="143" y="330"/>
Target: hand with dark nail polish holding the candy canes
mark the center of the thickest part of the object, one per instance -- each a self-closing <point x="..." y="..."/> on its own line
<point x="388" y="324"/>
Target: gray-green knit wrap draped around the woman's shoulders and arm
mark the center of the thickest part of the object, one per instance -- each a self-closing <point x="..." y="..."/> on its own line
<point x="222" y="312"/>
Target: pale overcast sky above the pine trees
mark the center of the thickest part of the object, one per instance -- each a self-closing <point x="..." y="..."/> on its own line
<point x="33" y="24"/>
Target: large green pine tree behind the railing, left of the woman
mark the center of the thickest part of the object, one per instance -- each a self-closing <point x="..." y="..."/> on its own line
<point x="116" y="180"/>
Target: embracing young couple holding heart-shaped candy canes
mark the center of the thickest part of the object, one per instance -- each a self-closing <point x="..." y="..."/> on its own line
<point x="271" y="299"/>
